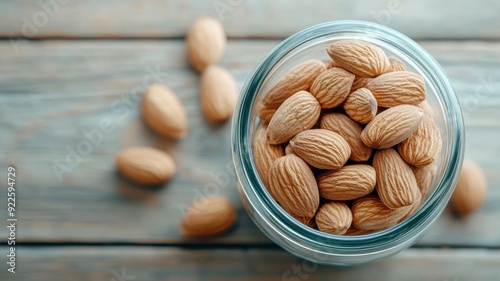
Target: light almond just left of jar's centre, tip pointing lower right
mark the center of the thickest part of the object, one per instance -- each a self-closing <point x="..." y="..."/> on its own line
<point x="322" y="149"/>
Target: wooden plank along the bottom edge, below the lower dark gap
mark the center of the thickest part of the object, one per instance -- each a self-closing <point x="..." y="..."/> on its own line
<point x="148" y="263"/>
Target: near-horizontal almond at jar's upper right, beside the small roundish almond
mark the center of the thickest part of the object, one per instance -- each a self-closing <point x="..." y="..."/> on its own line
<point x="396" y="88"/>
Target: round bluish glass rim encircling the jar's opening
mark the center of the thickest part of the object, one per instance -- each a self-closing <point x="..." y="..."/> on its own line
<point x="293" y="232"/>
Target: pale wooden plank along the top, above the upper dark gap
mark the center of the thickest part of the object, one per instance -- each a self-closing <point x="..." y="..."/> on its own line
<point x="243" y="18"/>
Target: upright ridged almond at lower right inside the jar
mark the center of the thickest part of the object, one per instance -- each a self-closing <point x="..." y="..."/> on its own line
<point x="396" y="183"/>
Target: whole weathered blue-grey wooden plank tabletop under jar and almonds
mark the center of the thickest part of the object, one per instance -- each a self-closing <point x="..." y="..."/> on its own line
<point x="85" y="61"/>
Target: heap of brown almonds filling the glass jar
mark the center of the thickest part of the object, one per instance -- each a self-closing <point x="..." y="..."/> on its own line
<point x="347" y="146"/>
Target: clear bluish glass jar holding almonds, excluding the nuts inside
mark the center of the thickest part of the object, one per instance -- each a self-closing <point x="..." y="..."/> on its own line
<point x="279" y="226"/>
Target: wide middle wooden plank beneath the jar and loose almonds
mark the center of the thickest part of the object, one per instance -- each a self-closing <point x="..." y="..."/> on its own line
<point x="51" y="91"/>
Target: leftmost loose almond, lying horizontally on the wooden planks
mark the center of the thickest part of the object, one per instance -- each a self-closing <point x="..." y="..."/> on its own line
<point x="145" y="165"/>
